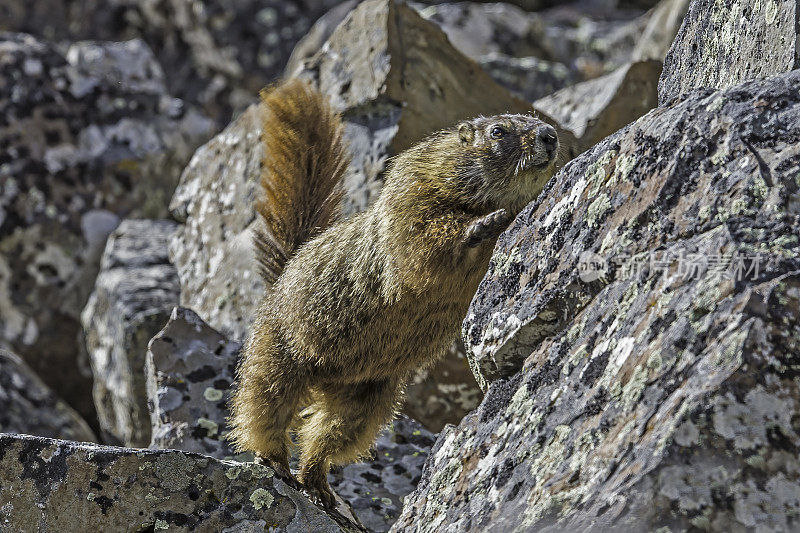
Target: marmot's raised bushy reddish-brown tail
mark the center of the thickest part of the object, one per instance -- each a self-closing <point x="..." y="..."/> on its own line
<point x="304" y="159"/>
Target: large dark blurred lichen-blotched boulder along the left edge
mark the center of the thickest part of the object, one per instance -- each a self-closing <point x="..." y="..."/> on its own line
<point x="86" y="137"/>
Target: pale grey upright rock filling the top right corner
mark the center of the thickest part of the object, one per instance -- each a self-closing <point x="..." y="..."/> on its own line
<point x="722" y="44"/>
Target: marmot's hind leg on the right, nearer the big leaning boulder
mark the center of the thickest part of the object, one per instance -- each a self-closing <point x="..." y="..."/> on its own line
<point x="341" y="428"/>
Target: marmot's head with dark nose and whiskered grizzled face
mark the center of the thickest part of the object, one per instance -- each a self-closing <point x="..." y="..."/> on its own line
<point x="507" y="158"/>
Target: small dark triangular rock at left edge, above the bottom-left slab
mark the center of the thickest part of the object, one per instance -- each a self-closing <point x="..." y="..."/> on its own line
<point x="29" y="406"/>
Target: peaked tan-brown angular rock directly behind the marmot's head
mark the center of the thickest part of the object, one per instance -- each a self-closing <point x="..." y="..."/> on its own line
<point x="405" y="70"/>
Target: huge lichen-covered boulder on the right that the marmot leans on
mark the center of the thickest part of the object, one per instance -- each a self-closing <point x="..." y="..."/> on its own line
<point x="651" y="300"/>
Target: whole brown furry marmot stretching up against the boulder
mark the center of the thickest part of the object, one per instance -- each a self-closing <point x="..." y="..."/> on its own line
<point x="351" y="311"/>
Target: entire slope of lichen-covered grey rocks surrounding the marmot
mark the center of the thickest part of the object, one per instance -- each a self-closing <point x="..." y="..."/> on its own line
<point x="635" y="335"/>
